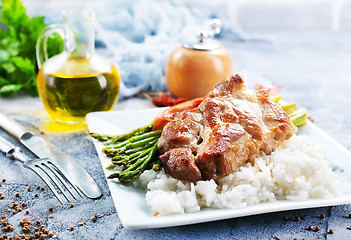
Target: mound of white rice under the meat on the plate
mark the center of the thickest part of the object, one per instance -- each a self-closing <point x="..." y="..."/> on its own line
<point x="298" y="170"/>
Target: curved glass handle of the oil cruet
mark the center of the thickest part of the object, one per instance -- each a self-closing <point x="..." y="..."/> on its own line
<point x="41" y="46"/>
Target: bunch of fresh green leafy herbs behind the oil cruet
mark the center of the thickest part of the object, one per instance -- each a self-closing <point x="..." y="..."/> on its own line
<point x="18" y="36"/>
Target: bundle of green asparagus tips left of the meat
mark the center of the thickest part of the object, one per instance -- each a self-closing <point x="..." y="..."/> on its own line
<point x="131" y="153"/>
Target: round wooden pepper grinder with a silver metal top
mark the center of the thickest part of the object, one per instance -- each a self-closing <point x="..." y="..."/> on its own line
<point x="194" y="68"/>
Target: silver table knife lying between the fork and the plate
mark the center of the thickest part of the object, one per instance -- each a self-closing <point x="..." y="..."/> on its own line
<point x="44" y="149"/>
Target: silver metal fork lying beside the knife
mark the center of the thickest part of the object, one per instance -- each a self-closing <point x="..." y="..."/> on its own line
<point x="44" y="168"/>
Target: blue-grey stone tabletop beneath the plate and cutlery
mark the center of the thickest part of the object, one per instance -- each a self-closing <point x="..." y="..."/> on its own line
<point x="313" y="69"/>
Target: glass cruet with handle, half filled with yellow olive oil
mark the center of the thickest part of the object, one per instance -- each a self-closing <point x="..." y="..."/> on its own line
<point x="76" y="81"/>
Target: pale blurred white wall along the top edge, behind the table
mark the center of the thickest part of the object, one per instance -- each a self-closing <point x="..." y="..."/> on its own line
<point x="249" y="14"/>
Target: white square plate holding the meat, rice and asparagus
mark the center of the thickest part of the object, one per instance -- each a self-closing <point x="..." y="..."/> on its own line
<point x="130" y="202"/>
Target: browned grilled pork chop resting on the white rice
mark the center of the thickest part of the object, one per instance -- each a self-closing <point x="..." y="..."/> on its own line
<point x="232" y="125"/>
